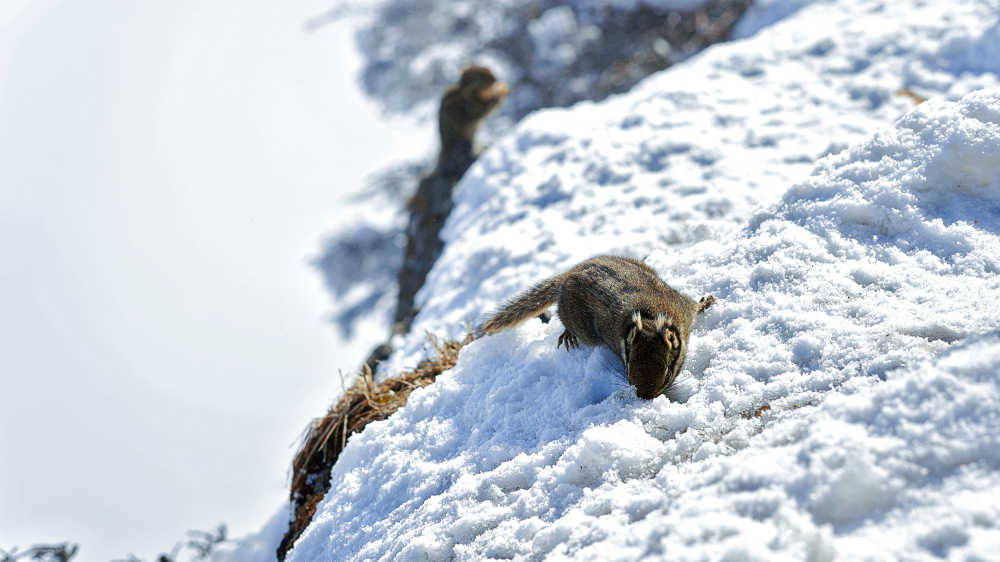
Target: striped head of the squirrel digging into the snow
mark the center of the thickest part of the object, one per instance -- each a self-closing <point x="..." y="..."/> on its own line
<point x="653" y="352"/>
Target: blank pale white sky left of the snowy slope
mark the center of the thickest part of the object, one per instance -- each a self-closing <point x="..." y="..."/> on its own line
<point x="166" y="170"/>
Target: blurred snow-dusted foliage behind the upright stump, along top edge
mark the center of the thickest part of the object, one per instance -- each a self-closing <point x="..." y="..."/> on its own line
<point x="551" y="54"/>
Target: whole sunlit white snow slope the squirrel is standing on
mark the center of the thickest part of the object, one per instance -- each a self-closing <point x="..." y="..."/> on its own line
<point x="840" y="400"/>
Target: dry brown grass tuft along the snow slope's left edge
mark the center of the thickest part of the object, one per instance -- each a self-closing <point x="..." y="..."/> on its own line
<point x="364" y="402"/>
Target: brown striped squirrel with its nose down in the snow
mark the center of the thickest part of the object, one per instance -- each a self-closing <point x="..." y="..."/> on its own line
<point x="620" y="303"/>
